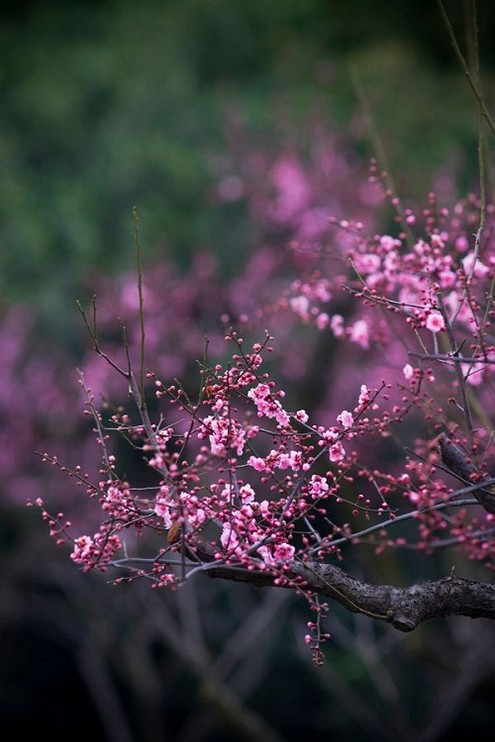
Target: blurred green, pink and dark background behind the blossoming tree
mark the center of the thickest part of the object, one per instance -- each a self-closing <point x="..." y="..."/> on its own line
<point x="233" y="128"/>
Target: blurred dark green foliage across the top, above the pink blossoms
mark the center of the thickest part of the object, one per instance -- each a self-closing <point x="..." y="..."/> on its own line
<point x="107" y="105"/>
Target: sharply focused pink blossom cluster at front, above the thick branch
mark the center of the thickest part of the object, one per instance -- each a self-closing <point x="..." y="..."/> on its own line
<point x="255" y="524"/>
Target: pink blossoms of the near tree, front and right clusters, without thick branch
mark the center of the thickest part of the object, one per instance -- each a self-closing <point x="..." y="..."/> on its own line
<point x="248" y="481"/>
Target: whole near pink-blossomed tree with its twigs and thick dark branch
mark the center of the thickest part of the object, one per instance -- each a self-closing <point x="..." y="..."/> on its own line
<point x="245" y="484"/>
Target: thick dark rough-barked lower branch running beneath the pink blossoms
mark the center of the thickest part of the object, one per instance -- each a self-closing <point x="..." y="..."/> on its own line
<point x="405" y="608"/>
